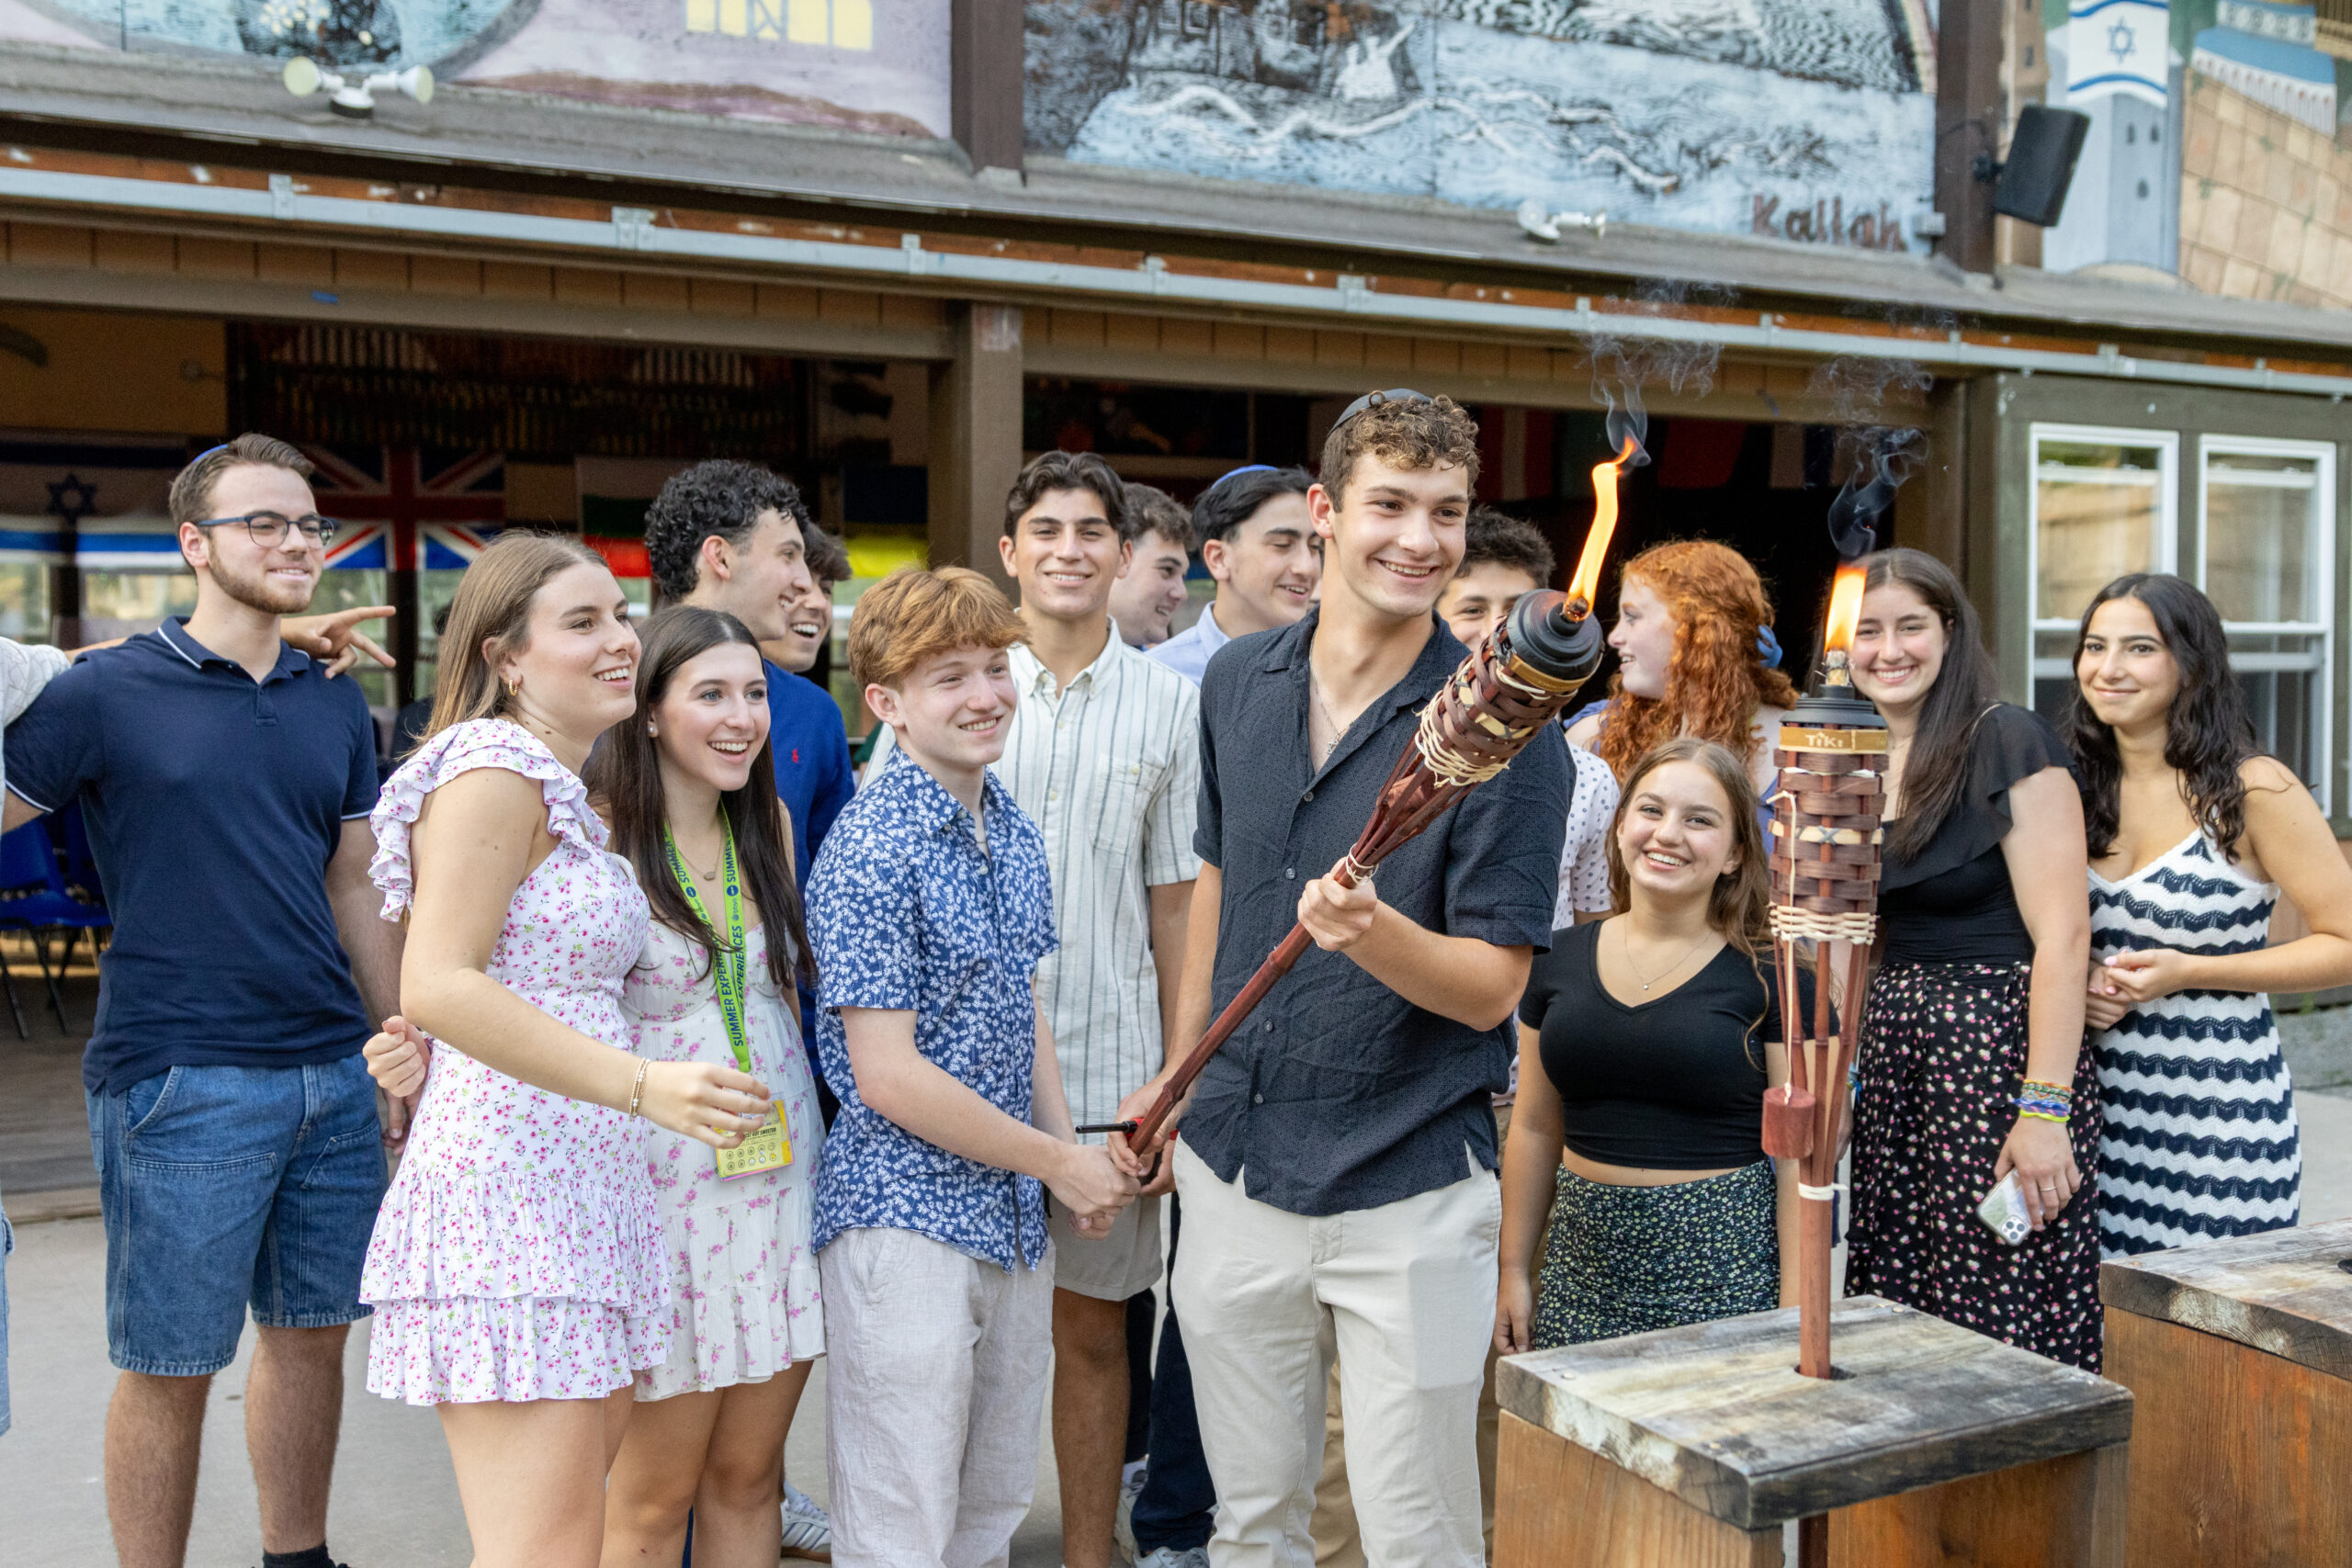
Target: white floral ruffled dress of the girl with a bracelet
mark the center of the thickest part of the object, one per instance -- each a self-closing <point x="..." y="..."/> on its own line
<point x="519" y="1252"/>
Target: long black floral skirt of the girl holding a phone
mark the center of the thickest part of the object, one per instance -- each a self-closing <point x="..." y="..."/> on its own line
<point x="1944" y="1054"/>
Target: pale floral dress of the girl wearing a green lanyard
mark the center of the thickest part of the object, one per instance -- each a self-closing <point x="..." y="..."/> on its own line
<point x="744" y="1301"/>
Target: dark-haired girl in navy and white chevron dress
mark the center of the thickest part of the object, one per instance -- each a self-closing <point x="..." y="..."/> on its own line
<point x="2193" y="840"/>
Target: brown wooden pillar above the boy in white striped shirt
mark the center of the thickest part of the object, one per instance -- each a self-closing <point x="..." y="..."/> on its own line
<point x="975" y="453"/>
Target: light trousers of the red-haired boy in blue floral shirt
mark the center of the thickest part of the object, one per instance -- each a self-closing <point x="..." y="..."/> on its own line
<point x="937" y="1369"/>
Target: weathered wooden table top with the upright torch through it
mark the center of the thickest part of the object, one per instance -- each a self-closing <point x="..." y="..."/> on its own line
<point x="1718" y="1414"/>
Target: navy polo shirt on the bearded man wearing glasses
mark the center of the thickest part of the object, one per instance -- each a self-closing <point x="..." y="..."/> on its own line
<point x="213" y="805"/>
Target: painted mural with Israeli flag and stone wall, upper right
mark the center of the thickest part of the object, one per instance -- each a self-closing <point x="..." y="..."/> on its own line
<point x="2221" y="145"/>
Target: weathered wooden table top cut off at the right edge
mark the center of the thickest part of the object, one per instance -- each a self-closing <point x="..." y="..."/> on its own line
<point x="2287" y="1292"/>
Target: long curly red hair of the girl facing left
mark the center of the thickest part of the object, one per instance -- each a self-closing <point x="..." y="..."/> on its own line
<point x="1713" y="683"/>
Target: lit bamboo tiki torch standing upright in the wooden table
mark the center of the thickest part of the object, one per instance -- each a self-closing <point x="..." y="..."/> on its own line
<point x="1824" y="892"/>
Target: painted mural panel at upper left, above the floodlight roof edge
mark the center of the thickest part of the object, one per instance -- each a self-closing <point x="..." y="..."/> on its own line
<point x="855" y="65"/>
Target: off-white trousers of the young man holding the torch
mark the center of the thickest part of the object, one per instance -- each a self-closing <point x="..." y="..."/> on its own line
<point x="1403" y="1296"/>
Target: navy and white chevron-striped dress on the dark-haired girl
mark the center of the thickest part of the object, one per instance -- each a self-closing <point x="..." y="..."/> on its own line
<point x="2200" y="1132"/>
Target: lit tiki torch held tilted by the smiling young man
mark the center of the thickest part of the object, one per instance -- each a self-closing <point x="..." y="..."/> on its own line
<point x="1504" y="695"/>
